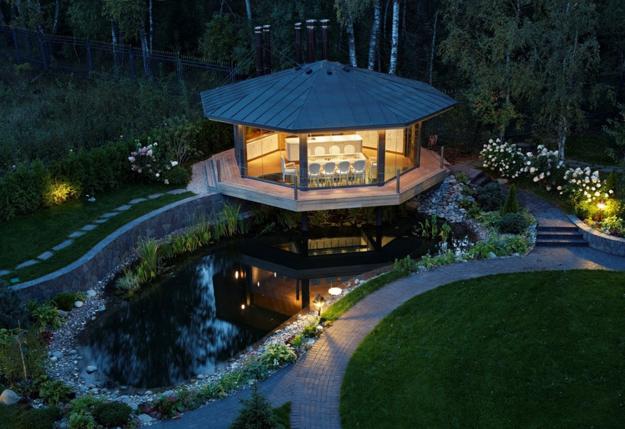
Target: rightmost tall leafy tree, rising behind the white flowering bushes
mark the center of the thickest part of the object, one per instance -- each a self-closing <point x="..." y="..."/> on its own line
<point x="567" y="53"/>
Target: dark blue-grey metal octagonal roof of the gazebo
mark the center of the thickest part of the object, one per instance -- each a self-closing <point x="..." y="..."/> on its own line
<point x="324" y="96"/>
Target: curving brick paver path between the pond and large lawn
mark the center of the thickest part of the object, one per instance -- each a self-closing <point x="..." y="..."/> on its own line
<point x="313" y="384"/>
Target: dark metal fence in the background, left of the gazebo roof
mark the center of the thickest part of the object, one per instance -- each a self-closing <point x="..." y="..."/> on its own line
<point x="84" y="57"/>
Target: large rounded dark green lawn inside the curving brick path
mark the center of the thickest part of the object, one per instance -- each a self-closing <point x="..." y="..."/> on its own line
<point x="528" y="350"/>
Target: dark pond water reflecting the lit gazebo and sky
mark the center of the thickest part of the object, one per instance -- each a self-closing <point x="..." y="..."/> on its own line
<point x="213" y="306"/>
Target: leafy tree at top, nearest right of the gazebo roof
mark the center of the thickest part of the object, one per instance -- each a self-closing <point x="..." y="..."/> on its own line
<point x="488" y="42"/>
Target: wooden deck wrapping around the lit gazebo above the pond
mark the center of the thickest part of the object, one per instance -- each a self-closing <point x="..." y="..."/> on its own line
<point x="223" y="176"/>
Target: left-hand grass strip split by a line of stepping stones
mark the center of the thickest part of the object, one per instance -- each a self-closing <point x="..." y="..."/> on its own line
<point x="28" y="236"/>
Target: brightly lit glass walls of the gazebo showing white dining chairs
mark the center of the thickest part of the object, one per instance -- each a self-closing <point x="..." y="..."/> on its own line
<point x="334" y="159"/>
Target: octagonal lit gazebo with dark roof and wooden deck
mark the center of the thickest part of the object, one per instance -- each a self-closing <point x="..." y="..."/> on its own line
<point x="324" y="135"/>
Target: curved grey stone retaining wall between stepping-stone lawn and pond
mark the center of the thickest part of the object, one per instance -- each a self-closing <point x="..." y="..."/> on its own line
<point x="106" y="256"/>
